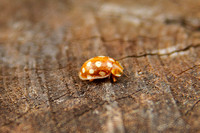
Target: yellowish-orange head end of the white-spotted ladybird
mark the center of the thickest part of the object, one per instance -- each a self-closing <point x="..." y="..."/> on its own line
<point x="117" y="69"/>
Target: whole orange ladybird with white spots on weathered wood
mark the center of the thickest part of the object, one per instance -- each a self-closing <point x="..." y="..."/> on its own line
<point x="100" y="67"/>
